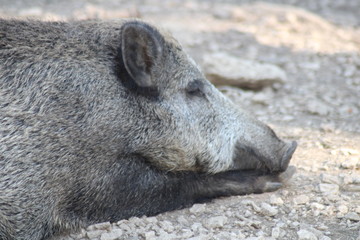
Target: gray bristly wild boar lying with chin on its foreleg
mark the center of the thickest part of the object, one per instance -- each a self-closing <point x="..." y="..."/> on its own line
<point x="101" y="121"/>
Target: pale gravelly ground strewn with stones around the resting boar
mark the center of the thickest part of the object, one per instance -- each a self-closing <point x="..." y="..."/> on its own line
<point x="302" y="77"/>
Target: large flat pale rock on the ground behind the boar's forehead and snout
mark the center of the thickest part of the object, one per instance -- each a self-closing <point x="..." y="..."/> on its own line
<point x="224" y="69"/>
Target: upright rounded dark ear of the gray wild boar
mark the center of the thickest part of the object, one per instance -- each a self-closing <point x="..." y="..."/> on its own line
<point x="141" y="48"/>
